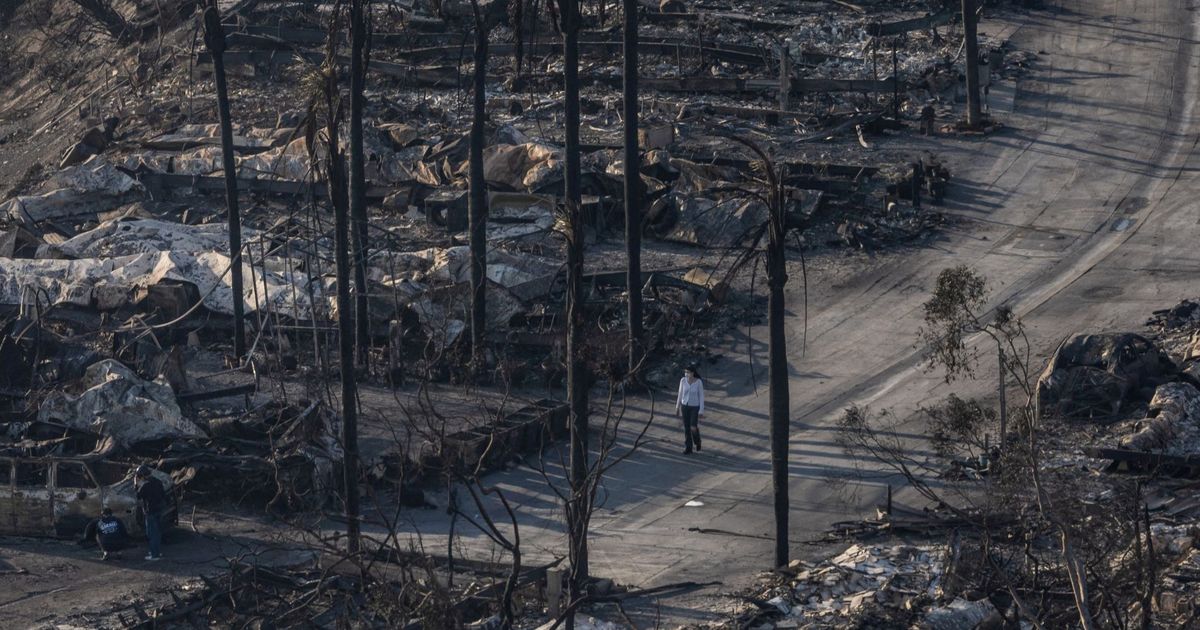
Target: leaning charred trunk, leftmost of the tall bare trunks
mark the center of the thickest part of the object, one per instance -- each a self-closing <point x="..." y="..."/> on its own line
<point x="214" y="39"/>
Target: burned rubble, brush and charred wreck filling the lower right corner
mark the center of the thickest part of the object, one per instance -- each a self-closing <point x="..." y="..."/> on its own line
<point x="1115" y="490"/>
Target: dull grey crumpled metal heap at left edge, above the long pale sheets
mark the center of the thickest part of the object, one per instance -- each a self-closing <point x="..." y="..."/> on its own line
<point x="94" y="187"/>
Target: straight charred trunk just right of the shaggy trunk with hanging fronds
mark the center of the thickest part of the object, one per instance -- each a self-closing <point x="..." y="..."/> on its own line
<point x="358" y="178"/>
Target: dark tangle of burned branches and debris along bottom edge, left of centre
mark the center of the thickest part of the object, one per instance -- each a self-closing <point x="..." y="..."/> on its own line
<point x="401" y="590"/>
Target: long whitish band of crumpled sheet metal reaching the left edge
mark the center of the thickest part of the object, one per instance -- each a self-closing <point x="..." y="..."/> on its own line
<point x="107" y="284"/>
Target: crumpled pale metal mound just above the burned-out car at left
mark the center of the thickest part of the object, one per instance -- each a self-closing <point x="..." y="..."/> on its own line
<point x="115" y="403"/>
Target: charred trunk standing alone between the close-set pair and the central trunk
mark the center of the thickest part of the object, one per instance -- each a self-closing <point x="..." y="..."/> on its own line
<point x="478" y="199"/>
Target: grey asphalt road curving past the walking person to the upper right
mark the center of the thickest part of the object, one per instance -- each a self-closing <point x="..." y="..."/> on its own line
<point x="1083" y="217"/>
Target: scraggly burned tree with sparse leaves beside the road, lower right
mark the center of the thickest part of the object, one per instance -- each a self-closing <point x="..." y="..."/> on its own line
<point x="1028" y="531"/>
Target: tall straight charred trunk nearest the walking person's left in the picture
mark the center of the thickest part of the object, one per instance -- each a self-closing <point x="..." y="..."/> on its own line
<point x="633" y="191"/>
